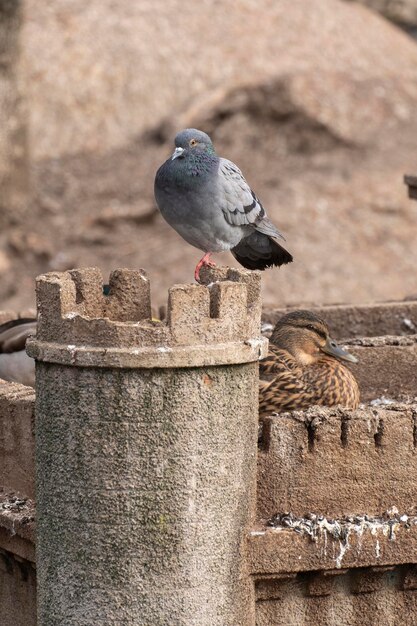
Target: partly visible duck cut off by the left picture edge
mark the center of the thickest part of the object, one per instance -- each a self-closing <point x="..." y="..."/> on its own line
<point x="15" y="365"/>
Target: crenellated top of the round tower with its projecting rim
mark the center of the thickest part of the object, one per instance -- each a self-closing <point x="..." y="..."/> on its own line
<point x="78" y="324"/>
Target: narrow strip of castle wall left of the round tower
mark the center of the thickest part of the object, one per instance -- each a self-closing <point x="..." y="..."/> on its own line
<point x="17" y="472"/>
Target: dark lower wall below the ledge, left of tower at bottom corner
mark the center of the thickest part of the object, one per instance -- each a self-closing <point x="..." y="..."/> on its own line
<point x="17" y="591"/>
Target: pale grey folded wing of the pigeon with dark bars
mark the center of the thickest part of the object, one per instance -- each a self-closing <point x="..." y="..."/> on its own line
<point x="240" y="205"/>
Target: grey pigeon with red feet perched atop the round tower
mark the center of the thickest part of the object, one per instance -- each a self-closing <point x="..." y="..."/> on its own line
<point x="207" y="200"/>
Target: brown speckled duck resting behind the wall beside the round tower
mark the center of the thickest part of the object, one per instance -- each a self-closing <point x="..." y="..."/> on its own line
<point x="305" y="367"/>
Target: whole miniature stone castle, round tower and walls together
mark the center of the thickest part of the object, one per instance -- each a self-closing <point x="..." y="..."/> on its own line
<point x="155" y="502"/>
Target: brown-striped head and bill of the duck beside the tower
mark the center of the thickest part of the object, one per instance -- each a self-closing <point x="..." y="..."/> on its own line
<point x="306" y="337"/>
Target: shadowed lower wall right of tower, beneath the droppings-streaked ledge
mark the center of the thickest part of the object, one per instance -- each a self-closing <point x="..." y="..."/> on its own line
<point x="370" y="597"/>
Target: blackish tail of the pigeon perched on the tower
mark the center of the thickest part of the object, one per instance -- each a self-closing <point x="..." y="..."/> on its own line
<point x="258" y="251"/>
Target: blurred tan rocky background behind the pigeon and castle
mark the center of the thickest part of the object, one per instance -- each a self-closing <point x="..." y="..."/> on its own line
<point x="315" y="101"/>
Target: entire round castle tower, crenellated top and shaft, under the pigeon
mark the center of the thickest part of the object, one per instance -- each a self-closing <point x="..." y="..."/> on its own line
<point x="146" y="450"/>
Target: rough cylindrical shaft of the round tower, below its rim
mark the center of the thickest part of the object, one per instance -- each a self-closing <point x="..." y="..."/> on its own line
<point x="141" y="498"/>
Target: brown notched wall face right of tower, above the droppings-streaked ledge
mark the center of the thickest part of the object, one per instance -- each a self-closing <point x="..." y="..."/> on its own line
<point x="337" y="462"/>
